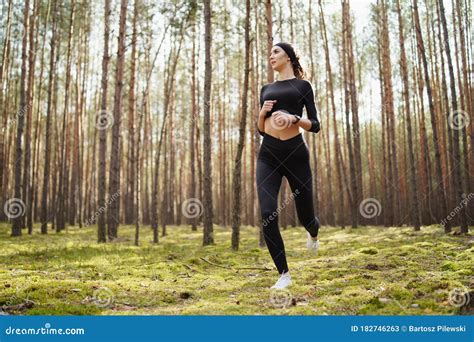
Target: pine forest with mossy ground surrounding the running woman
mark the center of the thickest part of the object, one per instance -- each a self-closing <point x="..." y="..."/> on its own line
<point x="128" y="140"/>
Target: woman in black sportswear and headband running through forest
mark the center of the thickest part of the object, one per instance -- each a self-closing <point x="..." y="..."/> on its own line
<point x="284" y="152"/>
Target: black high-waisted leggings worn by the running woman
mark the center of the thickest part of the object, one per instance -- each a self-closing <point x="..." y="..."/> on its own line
<point x="289" y="158"/>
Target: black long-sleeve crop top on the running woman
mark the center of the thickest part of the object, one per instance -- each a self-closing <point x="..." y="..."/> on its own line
<point x="291" y="95"/>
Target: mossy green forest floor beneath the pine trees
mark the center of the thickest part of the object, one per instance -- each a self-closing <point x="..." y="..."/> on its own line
<point x="363" y="271"/>
